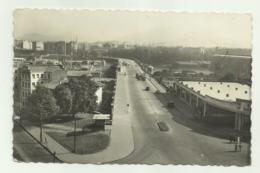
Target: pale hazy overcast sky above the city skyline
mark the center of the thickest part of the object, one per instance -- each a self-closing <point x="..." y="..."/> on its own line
<point x="170" y="29"/>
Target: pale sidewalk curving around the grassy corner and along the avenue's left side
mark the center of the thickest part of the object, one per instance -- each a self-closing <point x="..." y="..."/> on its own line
<point x="121" y="137"/>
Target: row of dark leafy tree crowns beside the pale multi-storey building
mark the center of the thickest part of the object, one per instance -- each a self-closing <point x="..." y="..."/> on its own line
<point x="78" y="95"/>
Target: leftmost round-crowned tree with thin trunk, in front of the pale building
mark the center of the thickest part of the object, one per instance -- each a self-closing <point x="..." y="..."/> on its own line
<point x="41" y="105"/>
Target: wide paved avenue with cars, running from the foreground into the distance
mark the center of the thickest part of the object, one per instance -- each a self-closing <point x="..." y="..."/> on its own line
<point x="180" y="145"/>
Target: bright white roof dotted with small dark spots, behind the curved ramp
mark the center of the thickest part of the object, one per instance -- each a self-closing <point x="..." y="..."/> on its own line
<point x="227" y="91"/>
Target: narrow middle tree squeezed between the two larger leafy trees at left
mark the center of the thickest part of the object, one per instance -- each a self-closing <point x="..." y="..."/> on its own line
<point x="63" y="96"/>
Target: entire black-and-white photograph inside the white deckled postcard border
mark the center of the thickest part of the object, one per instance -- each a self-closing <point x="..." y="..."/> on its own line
<point x="132" y="87"/>
